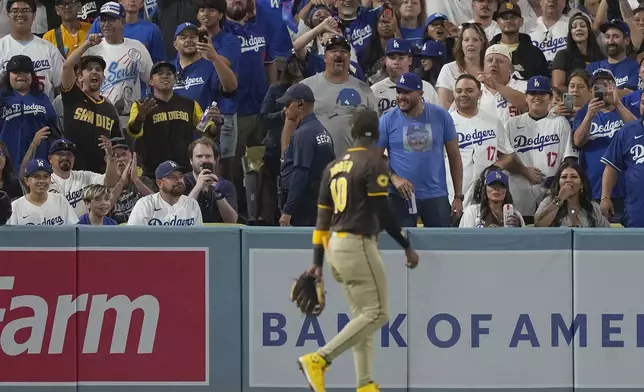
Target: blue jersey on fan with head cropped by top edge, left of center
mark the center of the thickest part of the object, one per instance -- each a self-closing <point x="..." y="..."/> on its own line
<point x="269" y="18"/>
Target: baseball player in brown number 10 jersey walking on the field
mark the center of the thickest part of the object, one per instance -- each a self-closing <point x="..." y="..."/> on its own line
<point x="352" y="210"/>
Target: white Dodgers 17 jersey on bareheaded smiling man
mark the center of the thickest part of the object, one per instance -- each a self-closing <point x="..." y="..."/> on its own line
<point x="480" y="138"/>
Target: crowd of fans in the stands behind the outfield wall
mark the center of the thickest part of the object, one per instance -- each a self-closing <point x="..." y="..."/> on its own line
<point x="185" y="112"/>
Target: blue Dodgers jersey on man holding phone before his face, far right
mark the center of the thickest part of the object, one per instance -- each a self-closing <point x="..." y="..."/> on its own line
<point x="602" y="130"/>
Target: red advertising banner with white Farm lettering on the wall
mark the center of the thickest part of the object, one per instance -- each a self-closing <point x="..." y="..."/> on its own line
<point x="104" y="316"/>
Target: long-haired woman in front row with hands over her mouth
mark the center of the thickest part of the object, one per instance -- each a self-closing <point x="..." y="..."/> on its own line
<point x="569" y="201"/>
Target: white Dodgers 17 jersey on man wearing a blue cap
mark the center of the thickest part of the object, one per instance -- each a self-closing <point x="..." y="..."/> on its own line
<point x="542" y="144"/>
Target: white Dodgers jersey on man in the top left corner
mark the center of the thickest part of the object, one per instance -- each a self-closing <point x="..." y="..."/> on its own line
<point x="47" y="60"/>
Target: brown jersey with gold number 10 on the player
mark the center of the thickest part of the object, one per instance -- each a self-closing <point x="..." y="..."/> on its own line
<point x="347" y="184"/>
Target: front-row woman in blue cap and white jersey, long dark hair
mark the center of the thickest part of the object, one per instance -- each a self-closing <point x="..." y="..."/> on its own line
<point x="489" y="212"/>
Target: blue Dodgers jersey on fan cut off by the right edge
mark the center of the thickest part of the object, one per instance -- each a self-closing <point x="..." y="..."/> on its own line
<point x="626" y="154"/>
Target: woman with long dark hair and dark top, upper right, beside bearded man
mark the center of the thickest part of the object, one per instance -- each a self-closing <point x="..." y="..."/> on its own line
<point x="582" y="49"/>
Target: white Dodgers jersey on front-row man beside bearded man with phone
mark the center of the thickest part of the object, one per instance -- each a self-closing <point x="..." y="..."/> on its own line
<point x="152" y="210"/>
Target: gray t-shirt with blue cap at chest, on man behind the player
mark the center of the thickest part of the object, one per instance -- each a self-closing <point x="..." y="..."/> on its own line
<point x="335" y="104"/>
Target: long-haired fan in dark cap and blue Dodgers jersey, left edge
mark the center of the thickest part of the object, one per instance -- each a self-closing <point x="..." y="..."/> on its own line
<point x="24" y="109"/>
